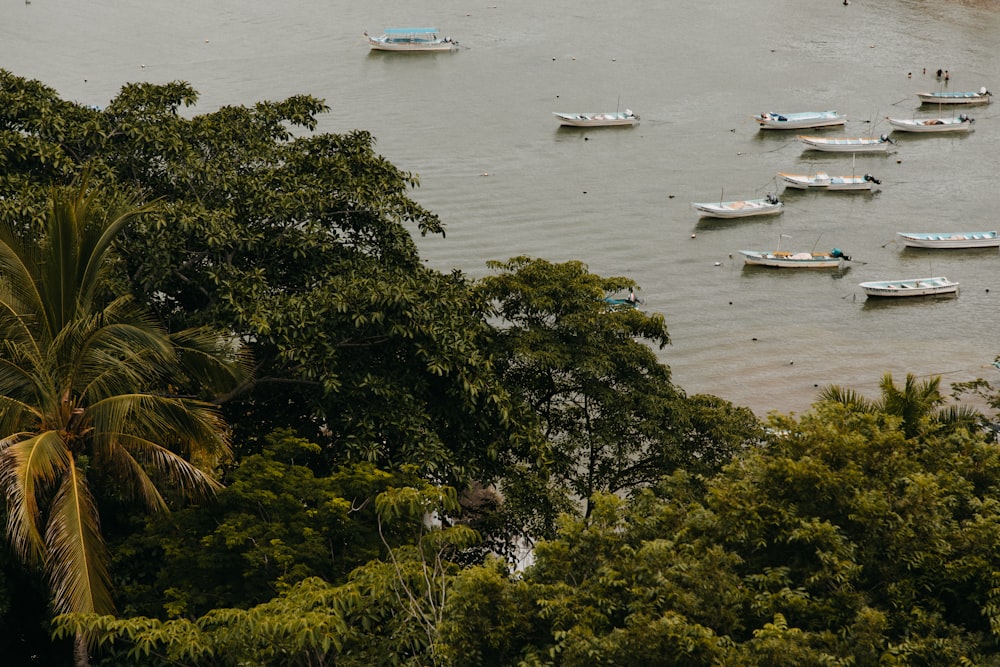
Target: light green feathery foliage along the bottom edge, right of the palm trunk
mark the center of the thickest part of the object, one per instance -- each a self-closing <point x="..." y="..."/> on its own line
<point x="387" y="613"/>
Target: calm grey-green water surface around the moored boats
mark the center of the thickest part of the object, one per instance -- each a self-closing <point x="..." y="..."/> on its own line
<point x="477" y="126"/>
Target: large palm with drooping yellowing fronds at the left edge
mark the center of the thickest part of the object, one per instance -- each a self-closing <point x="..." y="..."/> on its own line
<point x="89" y="395"/>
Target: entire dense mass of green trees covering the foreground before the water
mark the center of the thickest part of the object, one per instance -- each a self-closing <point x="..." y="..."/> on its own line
<point x="404" y="431"/>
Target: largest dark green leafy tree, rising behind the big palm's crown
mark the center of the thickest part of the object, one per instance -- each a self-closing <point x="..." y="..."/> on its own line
<point x="300" y="244"/>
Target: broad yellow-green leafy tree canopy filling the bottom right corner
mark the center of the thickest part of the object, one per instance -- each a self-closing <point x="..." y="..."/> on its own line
<point x="841" y="542"/>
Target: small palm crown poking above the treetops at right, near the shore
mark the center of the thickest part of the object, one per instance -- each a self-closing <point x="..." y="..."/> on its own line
<point x="914" y="403"/>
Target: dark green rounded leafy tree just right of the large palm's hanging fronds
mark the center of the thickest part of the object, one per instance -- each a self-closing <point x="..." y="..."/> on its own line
<point x="274" y="524"/>
